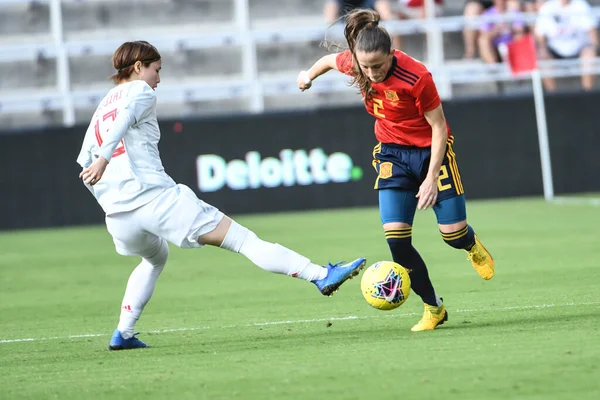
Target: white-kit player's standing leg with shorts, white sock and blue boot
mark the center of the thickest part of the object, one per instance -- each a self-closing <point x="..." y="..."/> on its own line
<point x="132" y="240"/>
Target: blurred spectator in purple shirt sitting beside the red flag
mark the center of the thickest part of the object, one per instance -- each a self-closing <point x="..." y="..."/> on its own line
<point x="494" y="36"/>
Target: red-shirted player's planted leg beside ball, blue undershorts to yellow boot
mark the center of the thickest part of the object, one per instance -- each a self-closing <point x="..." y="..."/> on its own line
<point x="397" y="210"/>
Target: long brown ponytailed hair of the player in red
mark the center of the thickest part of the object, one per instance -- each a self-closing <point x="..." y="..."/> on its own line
<point x="363" y="33"/>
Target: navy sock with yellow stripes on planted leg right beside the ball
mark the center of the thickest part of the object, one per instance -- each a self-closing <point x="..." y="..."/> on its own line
<point x="403" y="253"/>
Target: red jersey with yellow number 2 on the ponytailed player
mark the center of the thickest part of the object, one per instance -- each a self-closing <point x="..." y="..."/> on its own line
<point x="400" y="101"/>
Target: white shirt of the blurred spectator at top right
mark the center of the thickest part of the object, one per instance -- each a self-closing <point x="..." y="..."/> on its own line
<point x="565" y="27"/>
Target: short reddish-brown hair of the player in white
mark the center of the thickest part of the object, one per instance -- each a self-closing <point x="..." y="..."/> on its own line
<point x="128" y="54"/>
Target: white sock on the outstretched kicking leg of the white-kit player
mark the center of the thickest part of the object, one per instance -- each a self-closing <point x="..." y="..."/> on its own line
<point x="271" y="257"/>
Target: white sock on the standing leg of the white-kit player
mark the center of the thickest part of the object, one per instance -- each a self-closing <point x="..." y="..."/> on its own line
<point x="140" y="288"/>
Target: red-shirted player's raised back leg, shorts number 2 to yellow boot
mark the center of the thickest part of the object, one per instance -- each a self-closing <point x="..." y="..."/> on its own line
<point x="451" y="213"/>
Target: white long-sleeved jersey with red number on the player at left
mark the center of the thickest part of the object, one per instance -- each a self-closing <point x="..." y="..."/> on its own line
<point x="125" y="131"/>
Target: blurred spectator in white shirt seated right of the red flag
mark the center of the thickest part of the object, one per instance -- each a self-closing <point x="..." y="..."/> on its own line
<point x="566" y="29"/>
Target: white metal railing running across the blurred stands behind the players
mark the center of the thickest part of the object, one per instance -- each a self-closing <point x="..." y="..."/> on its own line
<point x="251" y="85"/>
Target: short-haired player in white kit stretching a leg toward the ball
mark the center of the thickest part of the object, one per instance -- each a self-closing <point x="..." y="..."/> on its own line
<point x="145" y="208"/>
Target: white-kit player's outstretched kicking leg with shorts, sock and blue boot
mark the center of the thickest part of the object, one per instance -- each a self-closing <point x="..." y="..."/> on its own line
<point x="190" y="223"/>
